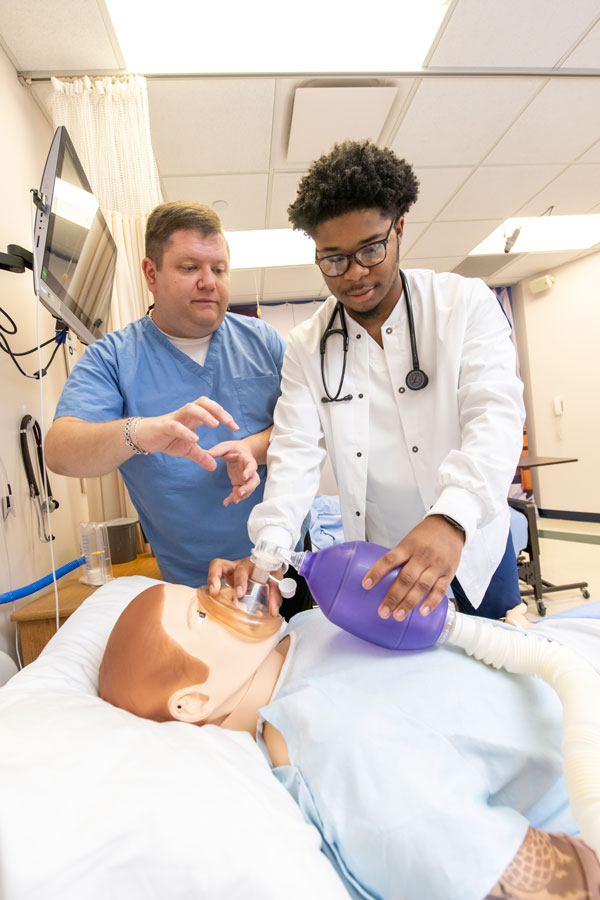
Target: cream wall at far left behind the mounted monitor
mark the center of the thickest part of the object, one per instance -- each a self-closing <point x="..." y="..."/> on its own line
<point x="25" y="142"/>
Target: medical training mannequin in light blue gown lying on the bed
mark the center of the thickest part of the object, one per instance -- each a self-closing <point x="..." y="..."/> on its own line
<point x="179" y="654"/>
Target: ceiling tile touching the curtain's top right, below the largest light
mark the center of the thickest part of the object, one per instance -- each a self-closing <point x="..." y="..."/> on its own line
<point x="211" y="126"/>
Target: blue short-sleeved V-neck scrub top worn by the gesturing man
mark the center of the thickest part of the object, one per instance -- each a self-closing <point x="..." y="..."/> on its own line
<point x="138" y="372"/>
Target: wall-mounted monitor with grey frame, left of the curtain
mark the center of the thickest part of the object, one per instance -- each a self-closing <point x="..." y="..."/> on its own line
<point x="75" y="253"/>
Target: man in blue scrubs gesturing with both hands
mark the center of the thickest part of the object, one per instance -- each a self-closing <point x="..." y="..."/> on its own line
<point x="180" y="401"/>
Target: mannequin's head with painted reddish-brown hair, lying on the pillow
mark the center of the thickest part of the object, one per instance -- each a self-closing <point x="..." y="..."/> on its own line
<point x="177" y="653"/>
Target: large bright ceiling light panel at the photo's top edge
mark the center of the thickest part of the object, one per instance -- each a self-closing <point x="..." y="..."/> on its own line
<point x="270" y="36"/>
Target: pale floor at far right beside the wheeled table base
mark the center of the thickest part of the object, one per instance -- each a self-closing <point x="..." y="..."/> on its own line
<point x="570" y="552"/>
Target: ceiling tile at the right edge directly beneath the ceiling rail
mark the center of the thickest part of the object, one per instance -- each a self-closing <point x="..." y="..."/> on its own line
<point x="556" y="127"/>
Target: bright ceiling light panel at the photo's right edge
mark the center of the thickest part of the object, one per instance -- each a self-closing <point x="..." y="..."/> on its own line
<point x="542" y="233"/>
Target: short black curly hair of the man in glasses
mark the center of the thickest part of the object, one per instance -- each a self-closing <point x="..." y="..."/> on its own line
<point x="354" y="175"/>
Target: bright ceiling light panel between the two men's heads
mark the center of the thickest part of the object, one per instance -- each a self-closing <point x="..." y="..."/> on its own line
<point x="275" y="247"/>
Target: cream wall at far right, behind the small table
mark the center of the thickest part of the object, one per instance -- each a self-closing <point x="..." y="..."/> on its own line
<point x="558" y="334"/>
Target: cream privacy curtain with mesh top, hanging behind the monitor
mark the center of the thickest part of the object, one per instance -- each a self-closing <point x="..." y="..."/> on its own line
<point x="107" y="120"/>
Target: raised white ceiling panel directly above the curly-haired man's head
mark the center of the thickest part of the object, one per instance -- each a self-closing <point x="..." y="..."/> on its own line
<point x="323" y="116"/>
